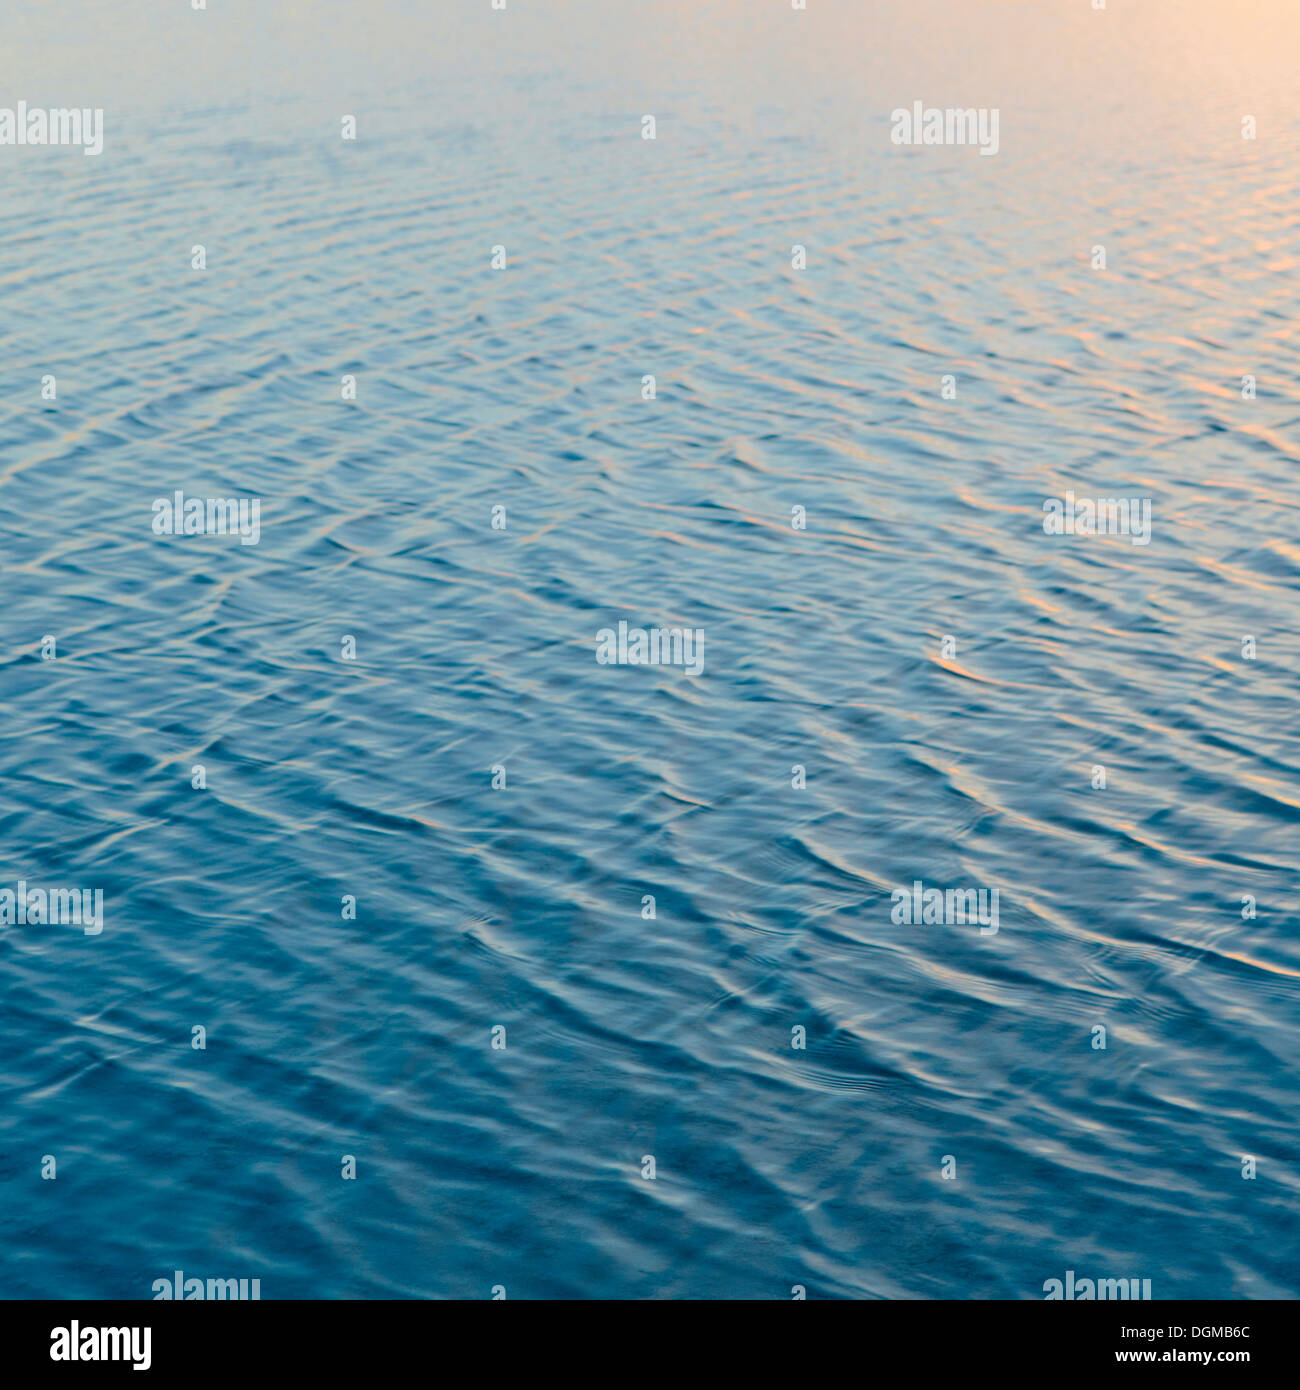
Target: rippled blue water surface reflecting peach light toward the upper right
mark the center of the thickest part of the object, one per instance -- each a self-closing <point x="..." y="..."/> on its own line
<point x="522" y="907"/>
